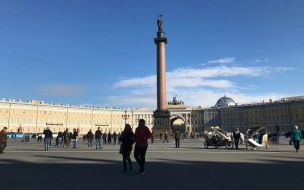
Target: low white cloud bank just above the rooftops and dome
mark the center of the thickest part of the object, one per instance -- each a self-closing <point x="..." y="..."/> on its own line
<point x="191" y="97"/>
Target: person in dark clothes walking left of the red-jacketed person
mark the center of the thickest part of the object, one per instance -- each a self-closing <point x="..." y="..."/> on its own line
<point x="127" y="140"/>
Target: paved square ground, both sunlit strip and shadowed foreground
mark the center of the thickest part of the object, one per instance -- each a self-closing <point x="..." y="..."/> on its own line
<point x="25" y="165"/>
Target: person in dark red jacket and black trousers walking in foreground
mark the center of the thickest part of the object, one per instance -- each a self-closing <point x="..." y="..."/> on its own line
<point x="142" y="134"/>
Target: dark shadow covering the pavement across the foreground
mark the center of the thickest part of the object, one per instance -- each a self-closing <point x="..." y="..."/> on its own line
<point x="160" y="174"/>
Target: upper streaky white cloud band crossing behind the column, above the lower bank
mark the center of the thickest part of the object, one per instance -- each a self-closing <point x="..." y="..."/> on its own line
<point x="191" y="77"/>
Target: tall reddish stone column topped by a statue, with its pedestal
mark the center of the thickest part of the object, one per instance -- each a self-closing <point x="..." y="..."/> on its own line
<point x="161" y="115"/>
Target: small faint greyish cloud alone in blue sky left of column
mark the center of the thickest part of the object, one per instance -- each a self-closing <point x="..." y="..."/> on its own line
<point x="62" y="89"/>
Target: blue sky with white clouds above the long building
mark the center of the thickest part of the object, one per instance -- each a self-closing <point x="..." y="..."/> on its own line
<point x="102" y="52"/>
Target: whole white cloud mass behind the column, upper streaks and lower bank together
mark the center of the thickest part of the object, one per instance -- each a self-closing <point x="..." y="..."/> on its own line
<point x="196" y="86"/>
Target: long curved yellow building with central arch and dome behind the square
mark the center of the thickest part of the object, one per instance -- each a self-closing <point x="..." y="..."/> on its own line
<point x="33" y="116"/>
